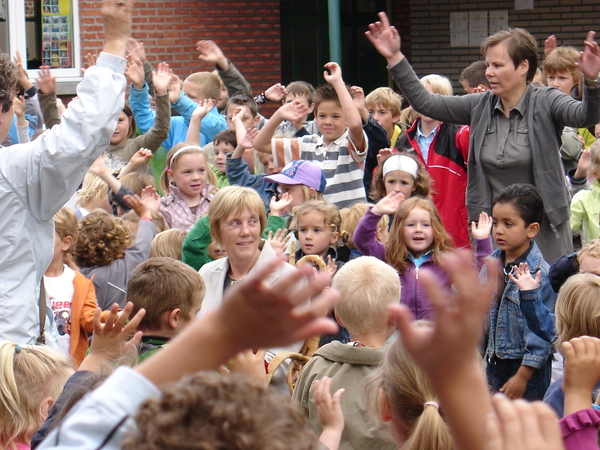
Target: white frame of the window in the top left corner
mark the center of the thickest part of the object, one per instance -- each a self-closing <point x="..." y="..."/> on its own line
<point x="17" y="41"/>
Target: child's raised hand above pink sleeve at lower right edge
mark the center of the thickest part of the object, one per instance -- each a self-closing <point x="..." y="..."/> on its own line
<point x="582" y="372"/>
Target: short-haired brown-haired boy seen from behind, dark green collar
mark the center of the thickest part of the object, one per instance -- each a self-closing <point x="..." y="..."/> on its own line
<point x="171" y="292"/>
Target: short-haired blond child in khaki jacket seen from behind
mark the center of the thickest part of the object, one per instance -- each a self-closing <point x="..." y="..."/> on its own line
<point x="367" y="286"/>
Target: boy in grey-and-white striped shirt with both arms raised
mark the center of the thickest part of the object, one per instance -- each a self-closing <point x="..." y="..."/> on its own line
<point x="341" y="149"/>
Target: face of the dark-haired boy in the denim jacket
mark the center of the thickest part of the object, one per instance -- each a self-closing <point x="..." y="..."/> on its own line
<point x="510" y="232"/>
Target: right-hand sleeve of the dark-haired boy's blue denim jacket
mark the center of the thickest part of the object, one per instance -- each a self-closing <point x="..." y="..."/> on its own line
<point x="537" y="349"/>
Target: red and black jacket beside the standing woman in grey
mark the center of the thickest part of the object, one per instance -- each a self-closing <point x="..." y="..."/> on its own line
<point x="447" y="167"/>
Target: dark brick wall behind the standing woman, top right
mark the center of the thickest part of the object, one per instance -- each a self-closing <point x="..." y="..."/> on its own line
<point x="569" y="20"/>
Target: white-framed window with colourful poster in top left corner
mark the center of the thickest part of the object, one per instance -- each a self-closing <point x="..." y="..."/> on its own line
<point x="46" y="32"/>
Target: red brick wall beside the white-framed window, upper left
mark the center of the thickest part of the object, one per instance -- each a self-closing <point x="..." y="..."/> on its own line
<point x="247" y="32"/>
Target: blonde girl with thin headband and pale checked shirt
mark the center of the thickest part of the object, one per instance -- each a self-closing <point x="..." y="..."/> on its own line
<point x="184" y="182"/>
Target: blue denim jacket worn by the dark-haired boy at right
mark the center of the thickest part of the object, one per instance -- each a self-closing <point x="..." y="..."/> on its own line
<point x="508" y="334"/>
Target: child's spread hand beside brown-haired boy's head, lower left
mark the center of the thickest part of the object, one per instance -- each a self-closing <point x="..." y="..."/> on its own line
<point x="111" y="340"/>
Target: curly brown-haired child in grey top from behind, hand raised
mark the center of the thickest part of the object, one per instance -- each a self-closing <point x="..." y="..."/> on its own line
<point x="101" y="249"/>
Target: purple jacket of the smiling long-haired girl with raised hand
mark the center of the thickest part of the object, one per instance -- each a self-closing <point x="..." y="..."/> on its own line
<point x="412" y="294"/>
